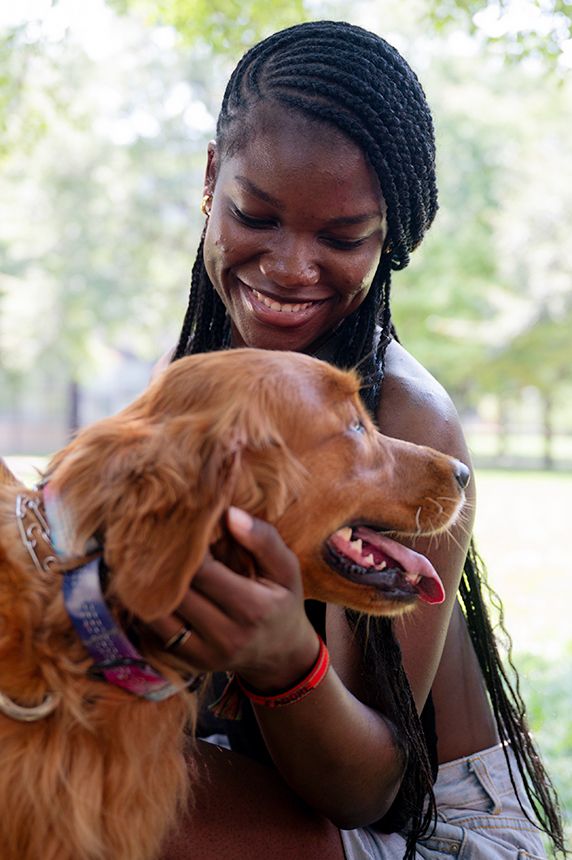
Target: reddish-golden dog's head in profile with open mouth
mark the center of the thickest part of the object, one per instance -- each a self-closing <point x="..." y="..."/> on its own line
<point x="281" y="435"/>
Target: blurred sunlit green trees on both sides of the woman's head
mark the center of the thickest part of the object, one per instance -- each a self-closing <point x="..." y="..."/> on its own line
<point x="102" y="154"/>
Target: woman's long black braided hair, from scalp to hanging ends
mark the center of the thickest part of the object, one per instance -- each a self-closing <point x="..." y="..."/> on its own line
<point x="341" y="75"/>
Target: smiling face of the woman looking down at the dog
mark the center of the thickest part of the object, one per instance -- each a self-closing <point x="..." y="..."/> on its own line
<point x="295" y="231"/>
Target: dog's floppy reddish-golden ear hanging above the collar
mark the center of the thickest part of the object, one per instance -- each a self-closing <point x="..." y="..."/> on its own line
<point x="155" y="495"/>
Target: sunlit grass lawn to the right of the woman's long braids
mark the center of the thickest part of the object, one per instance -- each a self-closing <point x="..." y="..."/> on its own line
<point x="522" y="530"/>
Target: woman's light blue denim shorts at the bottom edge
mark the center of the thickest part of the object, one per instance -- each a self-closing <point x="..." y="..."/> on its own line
<point x="478" y="817"/>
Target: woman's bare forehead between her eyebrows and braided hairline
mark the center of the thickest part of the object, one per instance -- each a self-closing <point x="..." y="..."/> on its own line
<point x="287" y="149"/>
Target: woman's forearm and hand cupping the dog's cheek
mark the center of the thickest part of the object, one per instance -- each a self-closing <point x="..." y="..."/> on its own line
<point x="337" y="754"/>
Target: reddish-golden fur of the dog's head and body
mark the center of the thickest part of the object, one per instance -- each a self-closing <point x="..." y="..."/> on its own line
<point x="277" y="434"/>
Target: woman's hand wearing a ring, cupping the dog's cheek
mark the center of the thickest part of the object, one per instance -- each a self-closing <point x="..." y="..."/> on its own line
<point x="256" y="627"/>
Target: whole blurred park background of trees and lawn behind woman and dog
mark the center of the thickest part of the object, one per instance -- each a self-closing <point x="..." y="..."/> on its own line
<point x="105" y="112"/>
